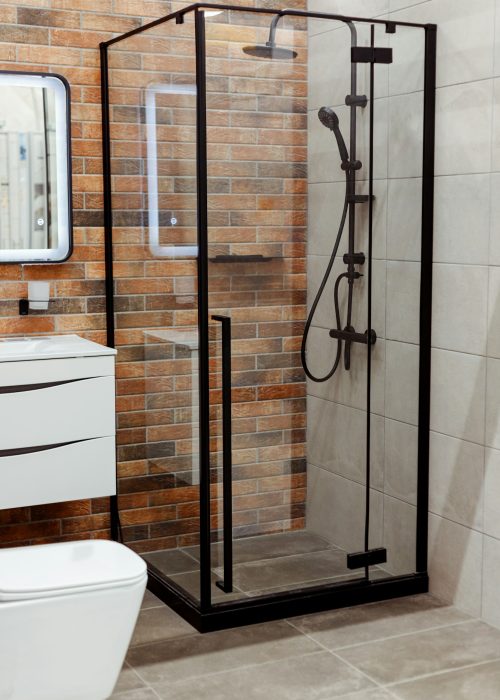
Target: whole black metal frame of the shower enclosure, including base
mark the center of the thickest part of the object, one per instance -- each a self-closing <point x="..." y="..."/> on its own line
<point x="204" y="615"/>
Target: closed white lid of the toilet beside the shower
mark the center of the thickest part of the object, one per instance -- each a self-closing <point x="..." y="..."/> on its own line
<point x="69" y="567"/>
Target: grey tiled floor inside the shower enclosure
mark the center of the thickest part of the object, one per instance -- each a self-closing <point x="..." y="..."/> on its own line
<point x="291" y="559"/>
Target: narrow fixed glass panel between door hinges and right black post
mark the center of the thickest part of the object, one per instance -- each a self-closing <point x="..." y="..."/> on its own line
<point x="397" y="283"/>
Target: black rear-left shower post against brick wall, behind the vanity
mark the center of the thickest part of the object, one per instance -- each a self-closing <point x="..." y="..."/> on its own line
<point x="115" y="528"/>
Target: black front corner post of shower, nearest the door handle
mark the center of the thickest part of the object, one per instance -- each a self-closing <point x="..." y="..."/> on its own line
<point x="203" y="352"/>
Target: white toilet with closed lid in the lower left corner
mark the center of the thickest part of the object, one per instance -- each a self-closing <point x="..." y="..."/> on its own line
<point x="67" y="614"/>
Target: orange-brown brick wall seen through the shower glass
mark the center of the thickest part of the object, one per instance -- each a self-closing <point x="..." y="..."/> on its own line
<point x="257" y="203"/>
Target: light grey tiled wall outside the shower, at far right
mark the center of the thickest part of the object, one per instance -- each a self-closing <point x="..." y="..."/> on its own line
<point x="465" y="415"/>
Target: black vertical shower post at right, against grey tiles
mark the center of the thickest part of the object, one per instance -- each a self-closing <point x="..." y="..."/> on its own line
<point x="426" y="297"/>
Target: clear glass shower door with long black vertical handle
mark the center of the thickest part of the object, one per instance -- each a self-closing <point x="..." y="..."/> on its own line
<point x="273" y="172"/>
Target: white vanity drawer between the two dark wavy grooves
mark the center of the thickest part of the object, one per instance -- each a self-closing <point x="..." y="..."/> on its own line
<point x="44" y="414"/>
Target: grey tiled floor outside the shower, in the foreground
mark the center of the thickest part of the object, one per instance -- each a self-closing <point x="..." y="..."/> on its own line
<point x="411" y="649"/>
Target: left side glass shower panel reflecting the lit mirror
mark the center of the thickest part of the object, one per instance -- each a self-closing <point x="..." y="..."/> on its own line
<point x="152" y="88"/>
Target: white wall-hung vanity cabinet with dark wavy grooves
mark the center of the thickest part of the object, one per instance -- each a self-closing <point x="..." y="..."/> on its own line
<point x="57" y="420"/>
